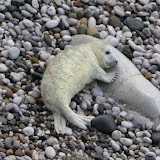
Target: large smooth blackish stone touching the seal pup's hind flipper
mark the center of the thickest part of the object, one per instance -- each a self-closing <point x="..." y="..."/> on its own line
<point x="104" y="124"/>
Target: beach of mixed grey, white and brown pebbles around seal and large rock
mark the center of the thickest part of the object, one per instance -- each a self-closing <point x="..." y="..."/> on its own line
<point x="32" y="33"/>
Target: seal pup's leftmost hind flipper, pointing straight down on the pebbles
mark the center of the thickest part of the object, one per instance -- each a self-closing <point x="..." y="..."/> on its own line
<point x="59" y="123"/>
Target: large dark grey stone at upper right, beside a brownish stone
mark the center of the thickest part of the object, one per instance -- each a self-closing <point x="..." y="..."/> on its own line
<point x="134" y="24"/>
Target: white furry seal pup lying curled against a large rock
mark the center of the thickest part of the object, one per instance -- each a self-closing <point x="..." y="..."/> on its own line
<point x="68" y="73"/>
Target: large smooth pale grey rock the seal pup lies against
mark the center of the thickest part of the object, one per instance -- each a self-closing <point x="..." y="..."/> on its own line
<point x="130" y="87"/>
